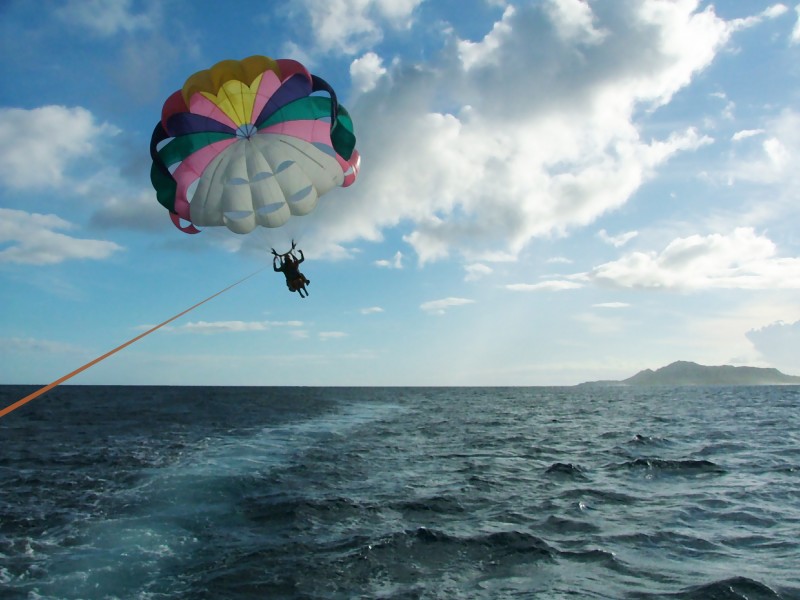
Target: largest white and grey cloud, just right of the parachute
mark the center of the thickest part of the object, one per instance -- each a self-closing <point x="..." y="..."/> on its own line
<point x="470" y="179"/>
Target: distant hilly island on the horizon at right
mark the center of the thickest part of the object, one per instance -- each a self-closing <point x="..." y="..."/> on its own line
<point x="688" y="373"/>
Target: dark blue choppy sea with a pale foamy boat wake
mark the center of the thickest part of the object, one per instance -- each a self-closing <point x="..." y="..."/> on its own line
<point x="232" y="493"/>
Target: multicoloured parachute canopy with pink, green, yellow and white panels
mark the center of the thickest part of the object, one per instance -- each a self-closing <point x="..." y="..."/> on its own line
<point x="244" y="143"/>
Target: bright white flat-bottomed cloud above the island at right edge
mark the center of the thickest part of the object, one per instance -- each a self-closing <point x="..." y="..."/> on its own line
<point x="741" y="260"/>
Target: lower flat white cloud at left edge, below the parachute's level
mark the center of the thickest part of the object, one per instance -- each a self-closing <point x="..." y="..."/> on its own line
<point x="31" y="239"/>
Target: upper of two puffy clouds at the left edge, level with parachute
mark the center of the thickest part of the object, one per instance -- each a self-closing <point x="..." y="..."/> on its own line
<point x="37" y="146"/>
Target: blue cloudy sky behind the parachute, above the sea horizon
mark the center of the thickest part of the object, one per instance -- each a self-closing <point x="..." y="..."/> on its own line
<point x="551" y="192"/>
